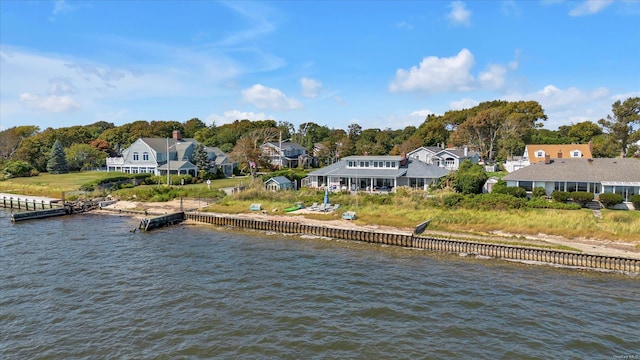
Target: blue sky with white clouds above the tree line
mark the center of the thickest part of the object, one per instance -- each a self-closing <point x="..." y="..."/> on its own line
<point x="379" y="64"/>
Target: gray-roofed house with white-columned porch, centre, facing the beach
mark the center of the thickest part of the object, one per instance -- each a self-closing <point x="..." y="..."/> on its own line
<point x="375" y="173"/>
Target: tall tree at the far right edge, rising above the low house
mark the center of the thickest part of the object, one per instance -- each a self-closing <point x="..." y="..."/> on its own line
<point x="624" y="122"/>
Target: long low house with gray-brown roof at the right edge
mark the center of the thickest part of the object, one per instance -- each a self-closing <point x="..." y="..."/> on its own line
<point x="598" y="175"/>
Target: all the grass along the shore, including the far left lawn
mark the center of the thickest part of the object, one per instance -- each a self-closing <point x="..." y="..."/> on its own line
<point x="400" y="210"/>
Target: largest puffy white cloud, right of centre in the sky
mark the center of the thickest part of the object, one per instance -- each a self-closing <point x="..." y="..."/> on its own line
<point x="436" y="74"/>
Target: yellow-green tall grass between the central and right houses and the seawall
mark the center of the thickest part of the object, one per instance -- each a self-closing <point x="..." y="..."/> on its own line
<point x="407" y="211"/>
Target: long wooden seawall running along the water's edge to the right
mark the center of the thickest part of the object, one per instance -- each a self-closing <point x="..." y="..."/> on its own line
<point x="558" y="257"/>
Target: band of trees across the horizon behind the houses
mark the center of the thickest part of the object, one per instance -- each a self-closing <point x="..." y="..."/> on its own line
<point x="495" y="129"/>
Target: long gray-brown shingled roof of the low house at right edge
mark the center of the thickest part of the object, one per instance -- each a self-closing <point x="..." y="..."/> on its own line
<point x="582" y="170"/>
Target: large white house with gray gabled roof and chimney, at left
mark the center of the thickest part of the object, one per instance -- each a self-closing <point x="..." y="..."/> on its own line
<point x="159" y="155"/>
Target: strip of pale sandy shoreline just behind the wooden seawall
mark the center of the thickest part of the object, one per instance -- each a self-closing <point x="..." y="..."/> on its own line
<point x="542" y="241"/>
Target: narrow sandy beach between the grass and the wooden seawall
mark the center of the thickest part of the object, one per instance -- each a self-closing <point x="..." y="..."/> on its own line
<point x="587" y="246"/>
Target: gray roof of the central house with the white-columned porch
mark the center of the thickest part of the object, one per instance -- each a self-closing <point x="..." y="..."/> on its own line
<point x="413" y="169"/>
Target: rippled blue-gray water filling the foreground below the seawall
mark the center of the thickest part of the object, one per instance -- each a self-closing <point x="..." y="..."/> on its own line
<point x="86" y="287"/>
